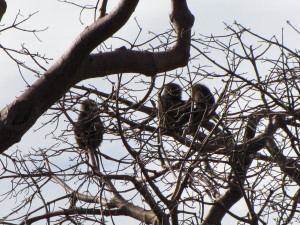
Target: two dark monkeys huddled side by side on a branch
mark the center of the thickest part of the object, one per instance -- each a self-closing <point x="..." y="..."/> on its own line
<point x="175" y="112"/>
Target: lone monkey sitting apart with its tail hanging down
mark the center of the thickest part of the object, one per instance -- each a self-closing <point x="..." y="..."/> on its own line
<point x="89" y="130"/>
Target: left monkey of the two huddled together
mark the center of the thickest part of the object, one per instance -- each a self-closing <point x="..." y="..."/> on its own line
<point x="172" y="109"/>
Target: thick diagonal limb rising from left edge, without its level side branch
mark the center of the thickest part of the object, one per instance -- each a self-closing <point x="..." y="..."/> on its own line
<point x="20" y="115"/>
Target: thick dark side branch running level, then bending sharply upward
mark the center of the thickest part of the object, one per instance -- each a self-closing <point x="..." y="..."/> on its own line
<point x="147" y="63"/>
